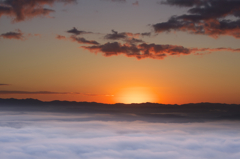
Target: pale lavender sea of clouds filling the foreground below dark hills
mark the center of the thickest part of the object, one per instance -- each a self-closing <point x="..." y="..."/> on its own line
<point x="38" y="135"/>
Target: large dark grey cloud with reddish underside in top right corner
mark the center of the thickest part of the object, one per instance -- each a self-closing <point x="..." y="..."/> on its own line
<point x="208" y="17"/>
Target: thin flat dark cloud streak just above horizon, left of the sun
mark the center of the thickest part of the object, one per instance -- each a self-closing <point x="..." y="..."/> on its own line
<point x="5" y="92"/>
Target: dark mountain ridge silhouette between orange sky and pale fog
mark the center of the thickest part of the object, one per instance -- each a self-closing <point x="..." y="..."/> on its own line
<point x="191" y="112"/>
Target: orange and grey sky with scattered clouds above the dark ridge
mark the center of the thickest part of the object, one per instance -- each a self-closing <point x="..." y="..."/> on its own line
<point x="120" y="51"/>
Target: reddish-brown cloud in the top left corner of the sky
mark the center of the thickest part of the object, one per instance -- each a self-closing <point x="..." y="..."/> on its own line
<point x="26" y="9"/>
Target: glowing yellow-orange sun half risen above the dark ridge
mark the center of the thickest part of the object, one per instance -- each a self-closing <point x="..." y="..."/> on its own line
<point x="136" y="95"/>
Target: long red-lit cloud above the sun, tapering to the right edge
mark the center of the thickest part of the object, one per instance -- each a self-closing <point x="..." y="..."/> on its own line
<point x="144" y="50"/>
